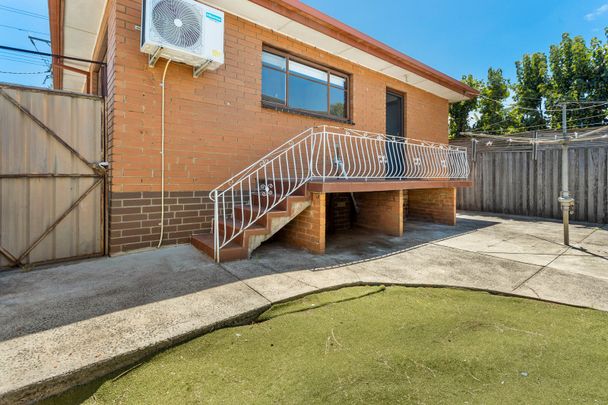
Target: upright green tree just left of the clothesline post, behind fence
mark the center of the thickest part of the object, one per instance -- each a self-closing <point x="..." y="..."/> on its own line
<point x="530" y="89"/>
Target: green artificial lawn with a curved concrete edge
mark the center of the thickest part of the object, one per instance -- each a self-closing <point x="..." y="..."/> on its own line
<point x="393" y="345"/>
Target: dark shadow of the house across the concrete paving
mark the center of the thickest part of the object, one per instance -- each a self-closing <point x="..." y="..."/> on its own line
<point x="51" y="297"/>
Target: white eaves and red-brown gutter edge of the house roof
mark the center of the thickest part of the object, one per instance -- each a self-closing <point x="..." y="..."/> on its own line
<point x="71" y="32"/>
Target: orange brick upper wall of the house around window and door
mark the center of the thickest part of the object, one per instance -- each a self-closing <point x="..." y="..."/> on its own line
<point x="215" y="125"/>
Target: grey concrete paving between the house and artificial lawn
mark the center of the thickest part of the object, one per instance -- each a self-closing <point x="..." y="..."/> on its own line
<point x="66" y="325"/>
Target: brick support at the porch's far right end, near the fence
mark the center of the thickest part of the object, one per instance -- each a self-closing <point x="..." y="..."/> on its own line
<point x="435" y="205"/>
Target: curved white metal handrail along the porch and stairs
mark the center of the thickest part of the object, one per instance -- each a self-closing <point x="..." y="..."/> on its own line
<point x="321" y="154"/>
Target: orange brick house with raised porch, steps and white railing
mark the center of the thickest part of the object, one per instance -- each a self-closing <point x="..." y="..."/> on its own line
<point x="287" y="68"/>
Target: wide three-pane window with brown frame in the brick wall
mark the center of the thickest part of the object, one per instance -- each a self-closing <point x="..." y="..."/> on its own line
<point x="296" y="85"/>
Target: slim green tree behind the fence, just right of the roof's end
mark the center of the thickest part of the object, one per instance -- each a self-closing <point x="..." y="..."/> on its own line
<point x="493" y="115"/>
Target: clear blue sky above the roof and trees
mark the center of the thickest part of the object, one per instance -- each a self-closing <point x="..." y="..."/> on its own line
<point x="456" y="37"/>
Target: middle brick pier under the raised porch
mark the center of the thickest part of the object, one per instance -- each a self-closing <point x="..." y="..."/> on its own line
<point x="381" y="211"/>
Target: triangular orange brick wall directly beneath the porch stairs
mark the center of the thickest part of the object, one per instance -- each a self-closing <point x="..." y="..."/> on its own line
<point x="307" y="230"/>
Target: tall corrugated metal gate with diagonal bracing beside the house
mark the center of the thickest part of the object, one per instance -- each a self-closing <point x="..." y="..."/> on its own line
<point x="52" y="186"/>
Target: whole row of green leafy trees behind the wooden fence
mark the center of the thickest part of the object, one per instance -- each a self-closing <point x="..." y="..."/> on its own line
<point x="574" y="72"/>
